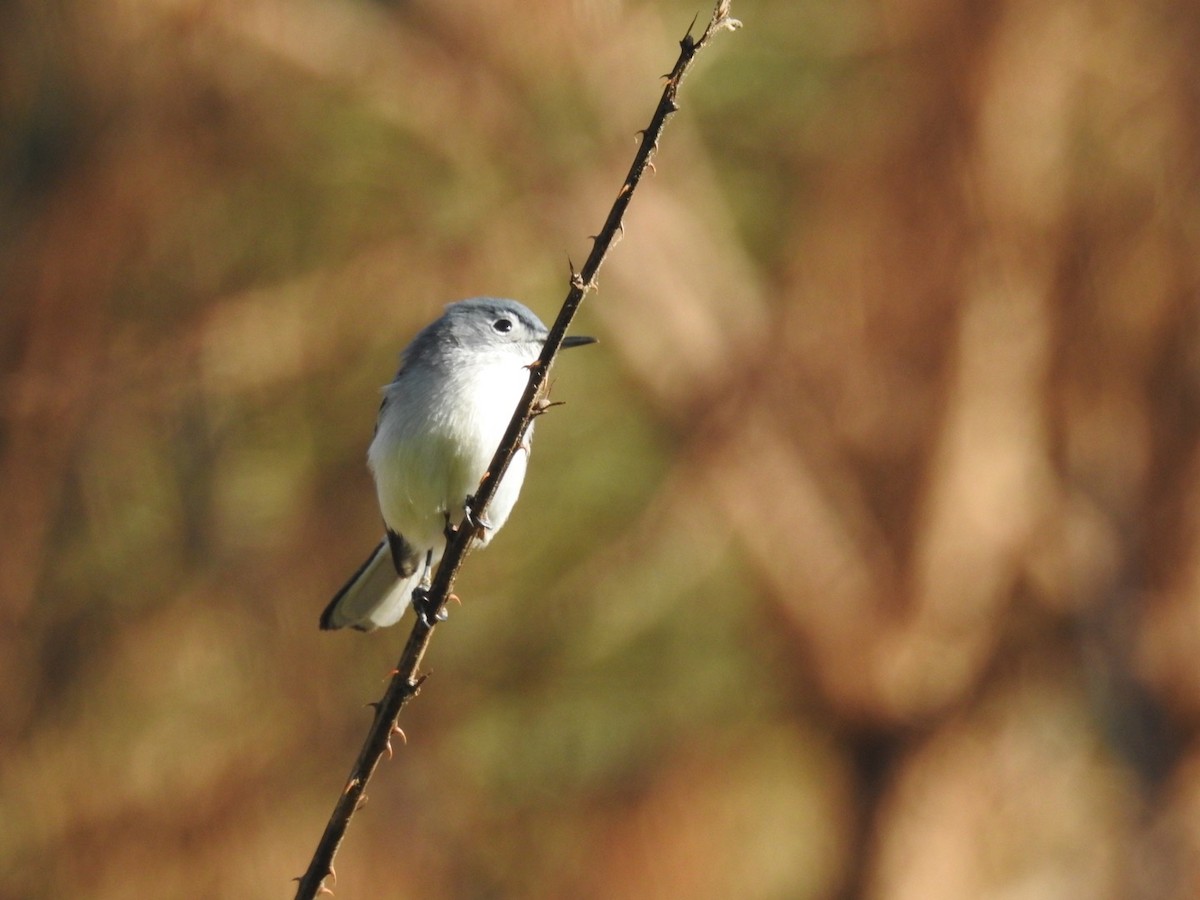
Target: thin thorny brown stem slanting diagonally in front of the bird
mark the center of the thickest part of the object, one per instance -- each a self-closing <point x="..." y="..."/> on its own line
<point x="406" y="683"/>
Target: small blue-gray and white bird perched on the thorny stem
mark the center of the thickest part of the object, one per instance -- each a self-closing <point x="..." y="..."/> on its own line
<point x="441" y="422"/>
